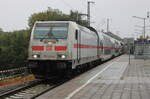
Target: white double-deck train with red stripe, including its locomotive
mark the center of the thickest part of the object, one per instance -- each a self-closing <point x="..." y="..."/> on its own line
<point x="58" y="47"/>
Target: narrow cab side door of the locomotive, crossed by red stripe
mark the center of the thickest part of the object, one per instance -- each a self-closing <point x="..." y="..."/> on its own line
<point x="78" y="38"/>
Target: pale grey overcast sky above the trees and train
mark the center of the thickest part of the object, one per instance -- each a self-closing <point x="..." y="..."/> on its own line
<point x="14" y="13"/>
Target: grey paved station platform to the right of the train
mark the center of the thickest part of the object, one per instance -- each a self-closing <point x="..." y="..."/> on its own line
<point x="116" y="79"/>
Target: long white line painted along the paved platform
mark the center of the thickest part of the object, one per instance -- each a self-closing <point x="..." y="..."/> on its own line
<point x="89" y="81"/>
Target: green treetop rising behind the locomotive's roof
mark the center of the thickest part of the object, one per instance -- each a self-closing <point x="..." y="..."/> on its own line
<point x="56" y="15"/>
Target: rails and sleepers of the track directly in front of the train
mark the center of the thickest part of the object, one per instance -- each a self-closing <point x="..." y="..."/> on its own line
<point x="31" y="91"/>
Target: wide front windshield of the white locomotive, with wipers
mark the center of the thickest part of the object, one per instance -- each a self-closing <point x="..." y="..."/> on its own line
<point x="51" y="31"/>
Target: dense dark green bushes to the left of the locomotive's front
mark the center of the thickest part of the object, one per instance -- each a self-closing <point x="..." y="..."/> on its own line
<point x="13" y="48"/>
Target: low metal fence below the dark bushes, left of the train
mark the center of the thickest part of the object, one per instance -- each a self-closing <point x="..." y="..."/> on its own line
<point x="12" y="73"/>
